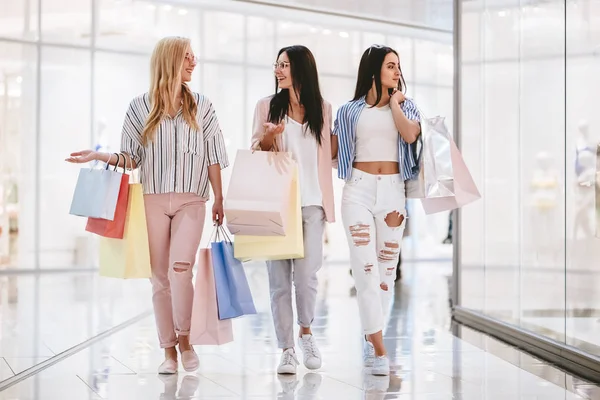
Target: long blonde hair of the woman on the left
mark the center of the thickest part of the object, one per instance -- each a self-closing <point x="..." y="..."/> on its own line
<point x="165" y="77"/>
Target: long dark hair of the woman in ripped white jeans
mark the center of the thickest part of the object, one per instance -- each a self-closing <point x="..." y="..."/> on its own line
<point x="370" y="68"/>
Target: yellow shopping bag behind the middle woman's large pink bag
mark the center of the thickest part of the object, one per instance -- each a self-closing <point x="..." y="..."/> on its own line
<point x="276" y="247"/>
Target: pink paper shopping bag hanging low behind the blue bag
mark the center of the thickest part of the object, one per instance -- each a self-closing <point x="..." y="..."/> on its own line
<point x="206" y="328"/>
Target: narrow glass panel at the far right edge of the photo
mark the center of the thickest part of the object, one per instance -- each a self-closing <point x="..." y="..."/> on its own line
<point x="582" y="138"/>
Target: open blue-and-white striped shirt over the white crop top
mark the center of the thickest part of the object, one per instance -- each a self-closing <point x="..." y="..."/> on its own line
<point x="344" y="128"/>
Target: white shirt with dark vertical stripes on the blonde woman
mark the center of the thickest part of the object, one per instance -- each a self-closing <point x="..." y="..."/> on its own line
<point x="177" y="159"/>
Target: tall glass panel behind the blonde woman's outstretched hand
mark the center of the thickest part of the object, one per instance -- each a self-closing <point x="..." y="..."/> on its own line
<point x="65" y="127"/>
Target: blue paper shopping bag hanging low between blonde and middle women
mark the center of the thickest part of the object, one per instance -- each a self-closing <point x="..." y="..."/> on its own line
<point x="234" y="298"/>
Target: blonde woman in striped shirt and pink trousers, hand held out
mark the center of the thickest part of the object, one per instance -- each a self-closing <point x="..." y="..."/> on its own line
<point x="172" y="135"/>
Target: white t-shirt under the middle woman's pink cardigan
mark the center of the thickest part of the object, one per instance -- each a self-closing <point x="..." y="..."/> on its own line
<point x="298" y="140"/>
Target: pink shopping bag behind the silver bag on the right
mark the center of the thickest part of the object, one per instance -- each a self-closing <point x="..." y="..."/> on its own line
<point x="465" y="191"/>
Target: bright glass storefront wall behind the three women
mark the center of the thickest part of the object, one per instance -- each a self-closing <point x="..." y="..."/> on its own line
<point x="69" y="69"/>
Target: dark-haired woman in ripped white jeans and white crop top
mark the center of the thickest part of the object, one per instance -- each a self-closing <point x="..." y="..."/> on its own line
<point x="372" y="137"/>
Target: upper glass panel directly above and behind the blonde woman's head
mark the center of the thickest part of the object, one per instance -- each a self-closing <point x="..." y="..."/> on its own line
<point x="137" y="25"/>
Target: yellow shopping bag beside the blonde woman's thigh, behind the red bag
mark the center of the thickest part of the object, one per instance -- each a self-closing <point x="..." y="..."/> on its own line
<point x="129" y="257"/>
